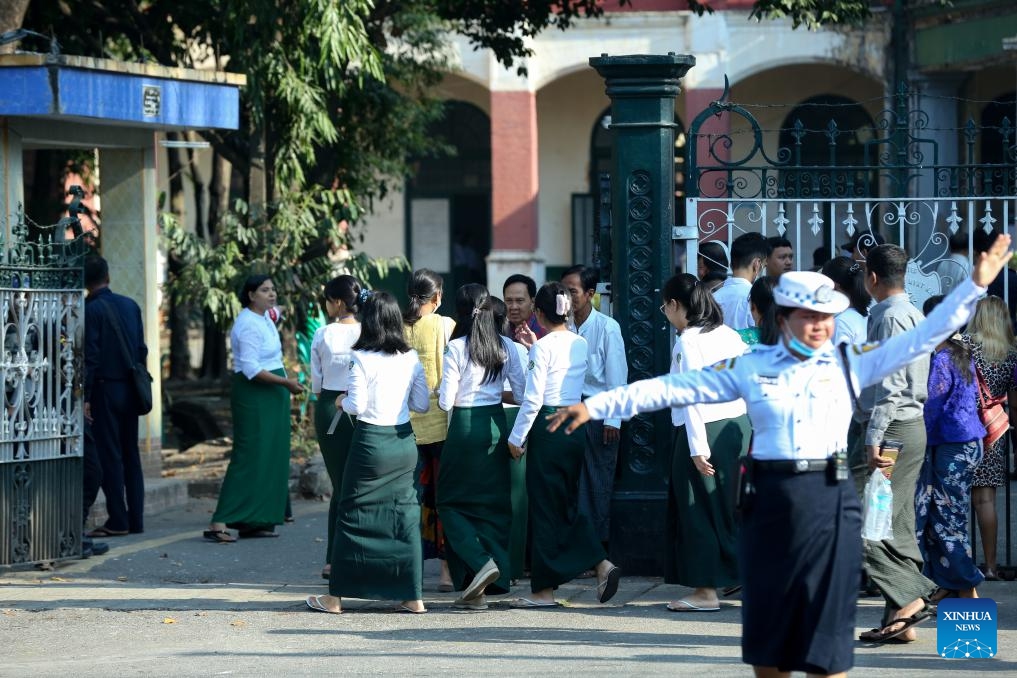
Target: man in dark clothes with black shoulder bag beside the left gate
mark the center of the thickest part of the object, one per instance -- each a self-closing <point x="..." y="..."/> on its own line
<point x="110" y="403"/>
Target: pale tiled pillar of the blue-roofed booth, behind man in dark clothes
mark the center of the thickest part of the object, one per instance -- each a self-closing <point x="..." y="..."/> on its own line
<point x="129" y="237"/>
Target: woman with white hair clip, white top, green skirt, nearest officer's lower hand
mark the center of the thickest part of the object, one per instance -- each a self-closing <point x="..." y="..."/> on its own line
<point x="565" y="543"/>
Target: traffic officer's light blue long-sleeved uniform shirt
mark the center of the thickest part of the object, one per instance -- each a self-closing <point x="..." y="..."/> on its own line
<point x="799" y="409"/>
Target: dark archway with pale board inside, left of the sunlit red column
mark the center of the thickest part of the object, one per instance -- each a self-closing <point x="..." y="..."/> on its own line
<point x="449" y="200"/>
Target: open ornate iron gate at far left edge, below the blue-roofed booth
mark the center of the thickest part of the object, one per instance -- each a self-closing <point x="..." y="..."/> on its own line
<point x="41" y="424"/>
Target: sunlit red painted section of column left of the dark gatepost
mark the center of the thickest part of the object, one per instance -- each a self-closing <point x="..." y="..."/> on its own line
<point x="514" y="171"/>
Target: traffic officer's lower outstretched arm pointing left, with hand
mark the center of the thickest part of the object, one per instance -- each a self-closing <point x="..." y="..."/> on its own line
<point x="720" y="384"/>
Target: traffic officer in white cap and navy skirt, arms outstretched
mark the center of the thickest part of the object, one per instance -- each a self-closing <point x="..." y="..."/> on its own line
<point x="801" y="538"/>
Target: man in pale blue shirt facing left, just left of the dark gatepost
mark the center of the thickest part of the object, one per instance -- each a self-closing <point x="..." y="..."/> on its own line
<point x="607" y="369"/>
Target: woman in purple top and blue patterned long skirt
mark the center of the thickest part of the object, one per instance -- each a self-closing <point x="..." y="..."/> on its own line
<point x="954" y="449"/>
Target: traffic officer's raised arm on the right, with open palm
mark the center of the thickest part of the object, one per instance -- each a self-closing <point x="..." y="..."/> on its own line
<point x="872" y="363"/>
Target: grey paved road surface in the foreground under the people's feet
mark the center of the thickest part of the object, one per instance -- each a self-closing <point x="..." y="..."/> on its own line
<point x="171" y="602"/>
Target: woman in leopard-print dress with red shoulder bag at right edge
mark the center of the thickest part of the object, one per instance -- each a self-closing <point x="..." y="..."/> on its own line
<point x="995" y="351"/>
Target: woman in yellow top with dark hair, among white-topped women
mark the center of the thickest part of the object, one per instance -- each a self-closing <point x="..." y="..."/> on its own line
<point x="428" y="334"/>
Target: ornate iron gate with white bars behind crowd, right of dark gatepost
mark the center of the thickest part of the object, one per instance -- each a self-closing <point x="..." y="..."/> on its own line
<point x="910" y="182"/>
